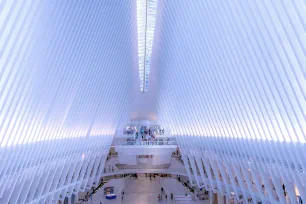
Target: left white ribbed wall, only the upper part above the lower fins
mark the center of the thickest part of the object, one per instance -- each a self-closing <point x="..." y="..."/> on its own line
<point x="64" y="69"/>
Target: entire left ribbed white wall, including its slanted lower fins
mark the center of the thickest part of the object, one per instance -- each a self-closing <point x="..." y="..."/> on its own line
<point x="64" y="78"/>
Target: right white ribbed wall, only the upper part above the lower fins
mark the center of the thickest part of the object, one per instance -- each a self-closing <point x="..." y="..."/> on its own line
<point x="234" y="69"/>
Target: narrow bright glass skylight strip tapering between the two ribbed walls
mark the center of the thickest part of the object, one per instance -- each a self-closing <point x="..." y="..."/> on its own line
<point x="146" y="17"/>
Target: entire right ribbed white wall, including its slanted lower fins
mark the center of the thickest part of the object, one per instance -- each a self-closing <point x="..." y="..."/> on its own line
<point x="232" y="88"/>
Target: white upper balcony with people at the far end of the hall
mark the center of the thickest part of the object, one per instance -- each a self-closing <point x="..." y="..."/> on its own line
<point x="139" y="141"/>
